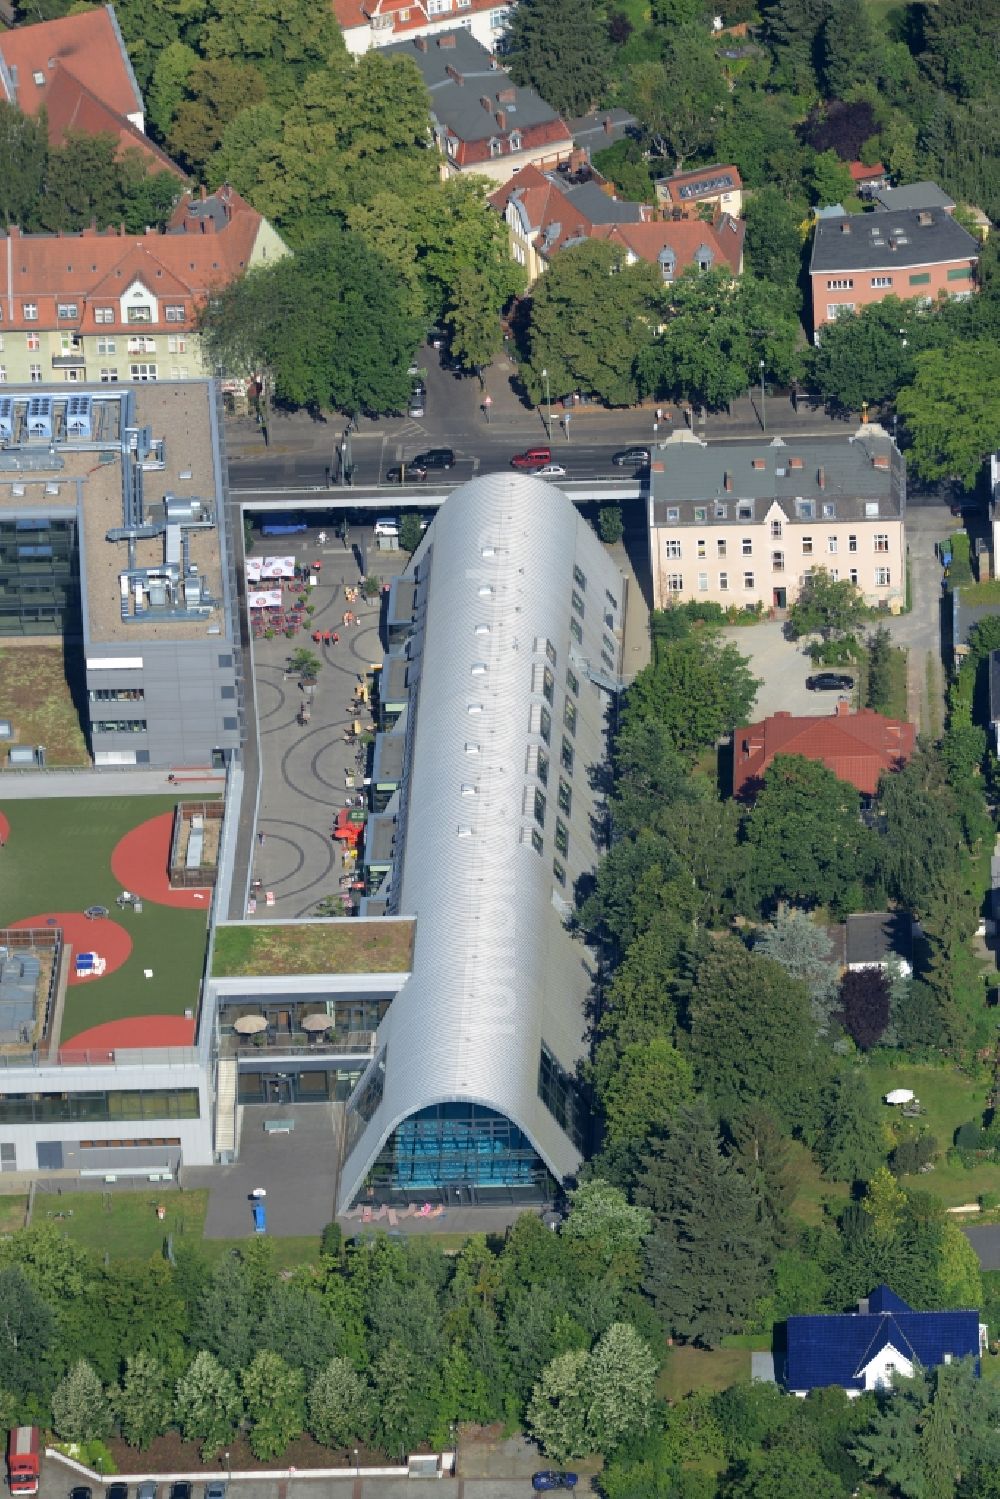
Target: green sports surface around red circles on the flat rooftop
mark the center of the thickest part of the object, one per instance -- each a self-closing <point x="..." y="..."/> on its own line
<point x="59" y="860"/>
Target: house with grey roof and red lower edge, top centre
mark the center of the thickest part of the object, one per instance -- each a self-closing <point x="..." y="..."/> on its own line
<point x="482" y="121"/>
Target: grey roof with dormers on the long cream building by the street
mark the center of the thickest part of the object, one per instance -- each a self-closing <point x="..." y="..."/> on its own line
<point x="696" y="474"/>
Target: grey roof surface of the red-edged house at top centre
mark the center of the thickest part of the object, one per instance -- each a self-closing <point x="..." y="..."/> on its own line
<point x="458" y="106"/>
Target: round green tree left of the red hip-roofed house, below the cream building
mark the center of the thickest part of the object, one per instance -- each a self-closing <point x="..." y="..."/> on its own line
<point x="698" y="689"/>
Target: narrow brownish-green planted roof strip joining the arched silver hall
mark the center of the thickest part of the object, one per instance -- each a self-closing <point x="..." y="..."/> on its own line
<point x="259" y="950"/>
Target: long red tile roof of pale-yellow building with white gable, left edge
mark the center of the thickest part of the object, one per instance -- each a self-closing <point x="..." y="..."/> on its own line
<point x="206" y="247"/>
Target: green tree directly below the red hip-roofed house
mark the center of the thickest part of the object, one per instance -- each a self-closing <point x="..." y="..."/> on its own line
<point x="806" y="837"/>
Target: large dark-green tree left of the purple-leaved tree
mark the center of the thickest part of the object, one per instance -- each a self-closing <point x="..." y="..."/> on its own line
<point x="750" y="1034"/>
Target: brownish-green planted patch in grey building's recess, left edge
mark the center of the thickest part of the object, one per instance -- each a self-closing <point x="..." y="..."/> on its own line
<point x="37" y="696"/>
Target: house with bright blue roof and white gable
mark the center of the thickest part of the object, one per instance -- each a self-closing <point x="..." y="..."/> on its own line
<point x="864" y="1350"/>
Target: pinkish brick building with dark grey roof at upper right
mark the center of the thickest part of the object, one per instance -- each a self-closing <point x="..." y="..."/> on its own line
<point x="861" y="259"/>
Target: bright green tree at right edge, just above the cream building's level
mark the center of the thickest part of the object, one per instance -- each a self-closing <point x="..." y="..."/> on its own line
<point x="953" y="410"/>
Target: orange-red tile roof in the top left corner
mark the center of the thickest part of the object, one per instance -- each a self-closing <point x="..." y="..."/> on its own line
<point x="89" y="46"/>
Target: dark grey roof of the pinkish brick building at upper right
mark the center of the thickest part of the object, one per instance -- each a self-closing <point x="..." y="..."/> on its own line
<point x="858" y="242"/>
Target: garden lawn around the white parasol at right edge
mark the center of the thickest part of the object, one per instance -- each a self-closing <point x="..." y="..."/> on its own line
<point x="950" y="1100"/>
